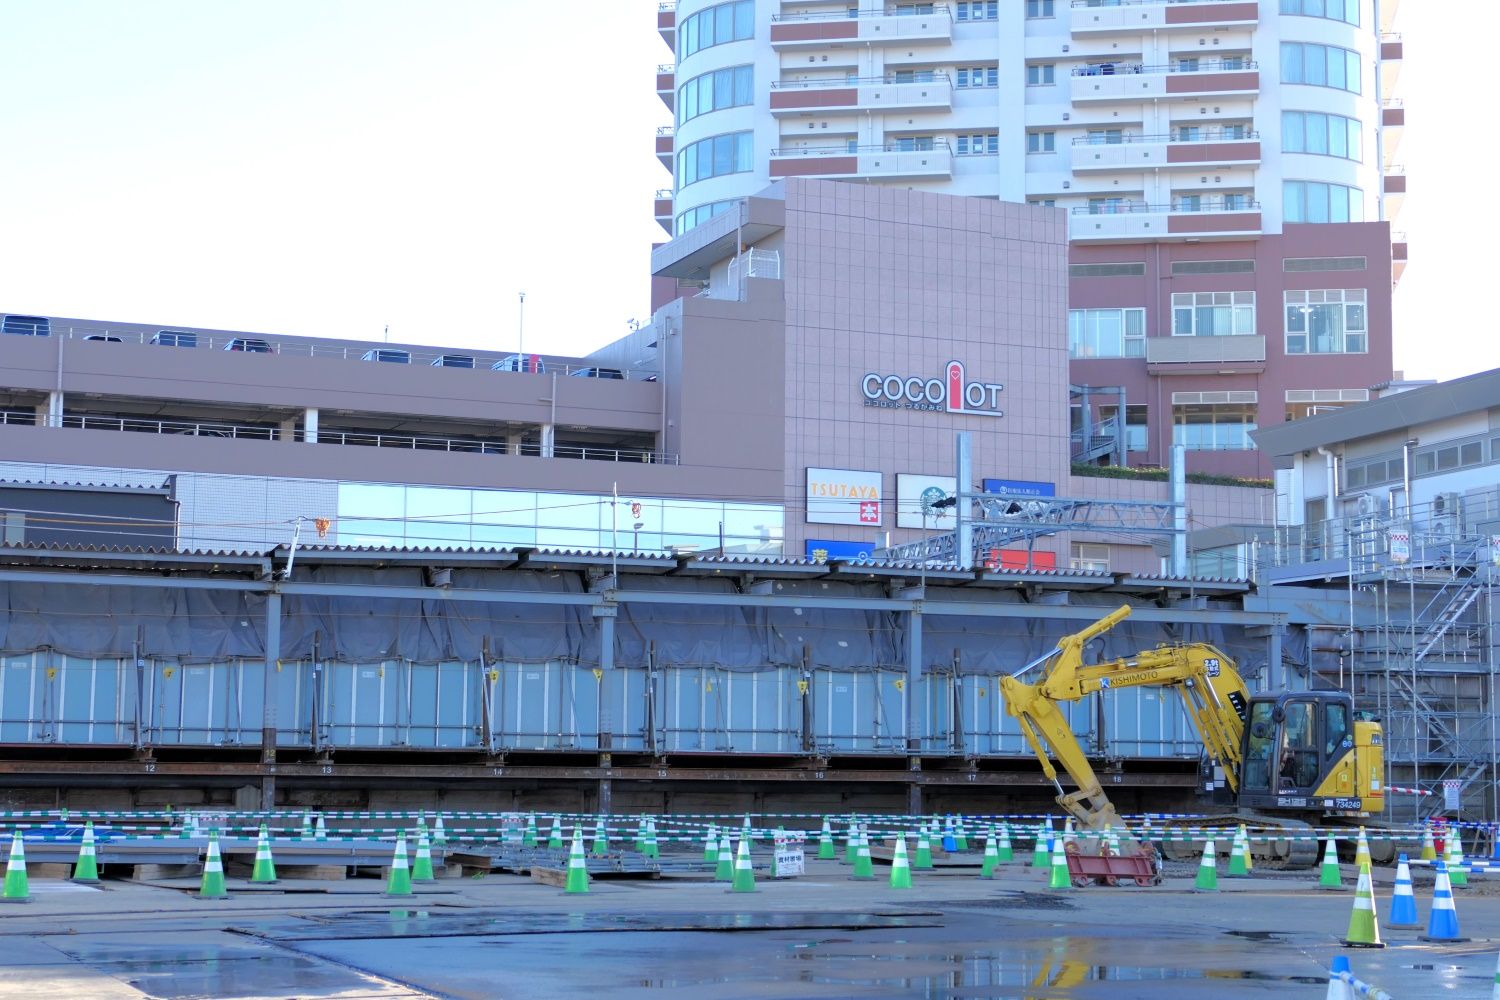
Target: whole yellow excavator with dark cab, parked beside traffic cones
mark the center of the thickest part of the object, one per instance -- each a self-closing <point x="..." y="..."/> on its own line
<point x="1289" y="758"/>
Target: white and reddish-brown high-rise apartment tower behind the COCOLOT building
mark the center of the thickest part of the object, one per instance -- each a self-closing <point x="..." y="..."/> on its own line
<point x="1225" y="166"/>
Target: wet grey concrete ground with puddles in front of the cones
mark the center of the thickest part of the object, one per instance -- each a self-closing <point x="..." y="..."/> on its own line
<point x="817" y="936"/>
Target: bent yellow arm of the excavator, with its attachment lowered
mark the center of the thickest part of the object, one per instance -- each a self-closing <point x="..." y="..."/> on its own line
<point x="1208" y="683"/>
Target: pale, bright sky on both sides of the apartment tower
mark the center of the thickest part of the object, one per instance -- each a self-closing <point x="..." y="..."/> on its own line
<point x="340" y="167"/>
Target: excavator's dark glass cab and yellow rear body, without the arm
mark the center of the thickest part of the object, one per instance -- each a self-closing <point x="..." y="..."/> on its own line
<point x="1307" y="750"/>
